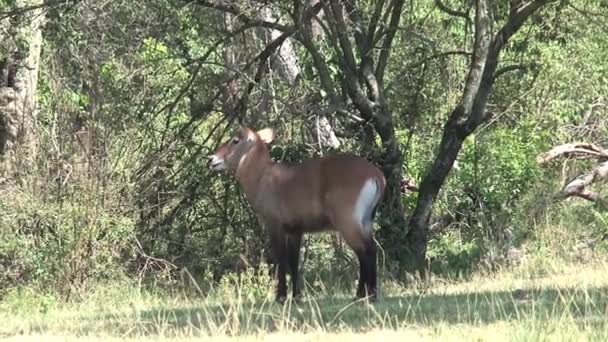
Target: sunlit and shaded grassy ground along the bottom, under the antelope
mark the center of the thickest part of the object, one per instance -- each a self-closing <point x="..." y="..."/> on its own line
<point x="571" y="304"/>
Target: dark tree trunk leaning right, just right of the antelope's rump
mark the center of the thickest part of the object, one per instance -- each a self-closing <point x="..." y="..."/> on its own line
<point x="468" y="114"/>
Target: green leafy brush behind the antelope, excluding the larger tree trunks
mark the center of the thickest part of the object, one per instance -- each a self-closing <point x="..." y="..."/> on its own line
<point x="119" y="196"/>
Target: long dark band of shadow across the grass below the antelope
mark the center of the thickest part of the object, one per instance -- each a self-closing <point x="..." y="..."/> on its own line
<point x="586" y="307"/>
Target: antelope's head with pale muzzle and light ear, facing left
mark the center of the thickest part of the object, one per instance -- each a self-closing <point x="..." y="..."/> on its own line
<point x="231" y="153"/>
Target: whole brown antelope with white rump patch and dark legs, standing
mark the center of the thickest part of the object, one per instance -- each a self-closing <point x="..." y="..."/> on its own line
<point x="328" y="193"/>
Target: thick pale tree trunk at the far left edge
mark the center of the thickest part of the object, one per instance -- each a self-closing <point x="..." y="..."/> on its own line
<point x="19" y="70"/>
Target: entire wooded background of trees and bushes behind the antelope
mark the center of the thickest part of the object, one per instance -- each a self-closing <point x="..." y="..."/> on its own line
<point x="109" y="108"/>
